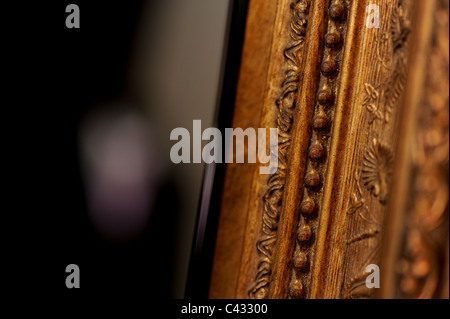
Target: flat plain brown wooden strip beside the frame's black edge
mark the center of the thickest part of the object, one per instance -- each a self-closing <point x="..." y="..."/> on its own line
<point x="247" y="112"/>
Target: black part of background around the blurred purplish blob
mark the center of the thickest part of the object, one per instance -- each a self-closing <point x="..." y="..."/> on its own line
<point x="56" y="76"/>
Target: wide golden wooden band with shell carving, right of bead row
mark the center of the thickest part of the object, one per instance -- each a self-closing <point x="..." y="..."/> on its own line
<point x="358" y="183"/>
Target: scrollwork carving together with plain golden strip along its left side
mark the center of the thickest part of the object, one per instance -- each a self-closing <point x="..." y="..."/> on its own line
<point x="280" y="94"/>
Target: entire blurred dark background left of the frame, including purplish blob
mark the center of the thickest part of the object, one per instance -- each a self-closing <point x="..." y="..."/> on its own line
<point x="92" y="120"/>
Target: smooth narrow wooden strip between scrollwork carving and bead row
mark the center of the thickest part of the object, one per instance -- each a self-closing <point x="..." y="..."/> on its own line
<point x="291" y="198"/>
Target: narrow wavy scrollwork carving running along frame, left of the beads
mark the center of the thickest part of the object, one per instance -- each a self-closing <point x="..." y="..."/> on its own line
<point x="286" y="105"/>
